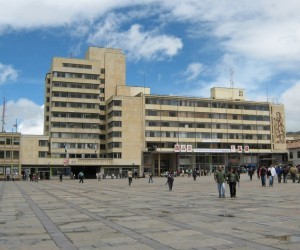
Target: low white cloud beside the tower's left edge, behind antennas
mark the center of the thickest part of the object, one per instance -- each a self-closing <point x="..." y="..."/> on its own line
<point x="29" y="116"/>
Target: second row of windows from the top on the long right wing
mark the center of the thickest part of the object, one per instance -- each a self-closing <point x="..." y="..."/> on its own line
<point x="168" y="113"/>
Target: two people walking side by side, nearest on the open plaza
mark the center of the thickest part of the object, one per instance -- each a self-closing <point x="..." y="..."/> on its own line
<point x="232" y="178"/>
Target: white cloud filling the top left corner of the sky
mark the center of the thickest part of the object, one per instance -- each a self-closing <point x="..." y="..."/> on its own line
<point x="34" y="14"/>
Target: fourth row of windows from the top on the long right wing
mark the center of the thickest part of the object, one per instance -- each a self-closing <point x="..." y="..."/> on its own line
<point x="202" y="135"/>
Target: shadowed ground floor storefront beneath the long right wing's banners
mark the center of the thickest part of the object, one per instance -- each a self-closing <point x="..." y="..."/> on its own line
<point x="159" y="162"/>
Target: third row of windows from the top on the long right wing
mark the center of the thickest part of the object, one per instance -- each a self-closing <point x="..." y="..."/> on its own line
<point x="207" y="125"/>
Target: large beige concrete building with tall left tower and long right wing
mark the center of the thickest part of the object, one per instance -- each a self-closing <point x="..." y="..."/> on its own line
<point x="94" y="122"/>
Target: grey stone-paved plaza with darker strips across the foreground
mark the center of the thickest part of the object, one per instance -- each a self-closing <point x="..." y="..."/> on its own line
<point x="109" y="214"/>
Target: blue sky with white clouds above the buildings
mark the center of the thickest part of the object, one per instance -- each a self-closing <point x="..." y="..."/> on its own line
<point x="173" y="47"/>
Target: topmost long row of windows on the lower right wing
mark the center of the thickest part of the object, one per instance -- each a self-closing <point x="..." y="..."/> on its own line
<point x="206" y="104"/>
